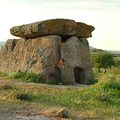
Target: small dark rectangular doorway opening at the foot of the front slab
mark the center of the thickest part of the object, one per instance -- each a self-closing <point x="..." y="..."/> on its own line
<point x="79" y="75"/>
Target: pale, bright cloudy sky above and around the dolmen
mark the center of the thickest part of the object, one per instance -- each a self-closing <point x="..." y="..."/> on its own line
<point x="104" y="15"/>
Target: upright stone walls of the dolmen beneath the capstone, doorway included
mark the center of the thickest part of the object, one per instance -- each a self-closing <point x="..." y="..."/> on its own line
<point x="49" y="56"/>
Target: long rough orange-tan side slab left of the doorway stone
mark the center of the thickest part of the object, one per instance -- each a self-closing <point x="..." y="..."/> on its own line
<point x="38" y="55"/>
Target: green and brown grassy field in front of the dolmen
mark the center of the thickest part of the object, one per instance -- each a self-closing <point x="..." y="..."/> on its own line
<point x="98" y="101"/>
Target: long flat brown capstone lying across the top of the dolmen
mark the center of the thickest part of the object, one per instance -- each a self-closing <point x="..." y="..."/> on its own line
<point x="62" y="27"/>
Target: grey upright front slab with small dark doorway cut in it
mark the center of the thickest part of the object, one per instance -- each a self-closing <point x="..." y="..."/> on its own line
<point x="76" y="65"/>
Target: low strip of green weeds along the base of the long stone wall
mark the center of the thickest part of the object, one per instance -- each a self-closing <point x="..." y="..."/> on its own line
<point x="32" y="77"/>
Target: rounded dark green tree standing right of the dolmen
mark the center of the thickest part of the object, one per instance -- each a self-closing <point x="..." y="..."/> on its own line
<point x="102" y="60"/>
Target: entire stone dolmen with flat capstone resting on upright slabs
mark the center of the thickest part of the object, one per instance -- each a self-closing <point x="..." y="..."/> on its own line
<point x="57" y="48"/>
